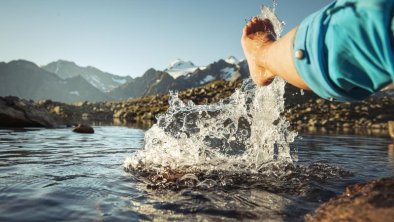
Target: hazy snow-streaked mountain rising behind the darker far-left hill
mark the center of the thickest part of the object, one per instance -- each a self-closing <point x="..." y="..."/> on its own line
<point x="101" y="80"/>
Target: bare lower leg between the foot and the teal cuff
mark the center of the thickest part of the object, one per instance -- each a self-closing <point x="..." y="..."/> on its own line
<point x="278" y="58"/>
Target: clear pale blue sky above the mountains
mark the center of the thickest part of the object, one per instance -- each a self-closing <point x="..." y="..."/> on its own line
<point x="127" y="37"/>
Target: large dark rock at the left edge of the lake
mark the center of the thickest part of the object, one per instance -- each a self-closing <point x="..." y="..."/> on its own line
<point x="15" y="112"/>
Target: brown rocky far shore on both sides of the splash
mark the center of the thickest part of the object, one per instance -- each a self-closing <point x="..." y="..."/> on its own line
<point x="305" y="112"/>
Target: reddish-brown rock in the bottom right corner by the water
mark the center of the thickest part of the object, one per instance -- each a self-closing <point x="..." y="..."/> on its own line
<point x="373" y="201"/>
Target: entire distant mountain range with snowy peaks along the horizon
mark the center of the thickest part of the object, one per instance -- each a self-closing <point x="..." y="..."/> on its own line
<point x="65" y="81"/>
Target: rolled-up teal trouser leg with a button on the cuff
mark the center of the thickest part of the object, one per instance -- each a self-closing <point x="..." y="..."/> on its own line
<point x="344" y="51"/>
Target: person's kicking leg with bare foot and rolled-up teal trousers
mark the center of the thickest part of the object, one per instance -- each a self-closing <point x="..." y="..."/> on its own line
<point x="341" y="52"/>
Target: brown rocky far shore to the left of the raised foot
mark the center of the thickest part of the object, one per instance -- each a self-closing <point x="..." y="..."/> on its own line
<point x="141" y="110"/>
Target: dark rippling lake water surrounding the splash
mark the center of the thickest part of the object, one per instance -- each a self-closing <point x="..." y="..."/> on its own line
<point x="54" y="174"/>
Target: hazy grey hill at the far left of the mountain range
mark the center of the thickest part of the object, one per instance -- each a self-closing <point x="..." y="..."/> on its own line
<point x="26" y="80"/>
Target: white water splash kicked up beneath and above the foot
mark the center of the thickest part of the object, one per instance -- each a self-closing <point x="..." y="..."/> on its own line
<point x="242" y="133"/>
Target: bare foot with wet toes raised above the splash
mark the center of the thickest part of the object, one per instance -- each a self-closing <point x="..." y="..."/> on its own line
<point x="257" y="36"/>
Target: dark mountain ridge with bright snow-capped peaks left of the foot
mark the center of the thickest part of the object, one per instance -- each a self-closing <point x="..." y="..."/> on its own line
<point x="181" y="75"/>
